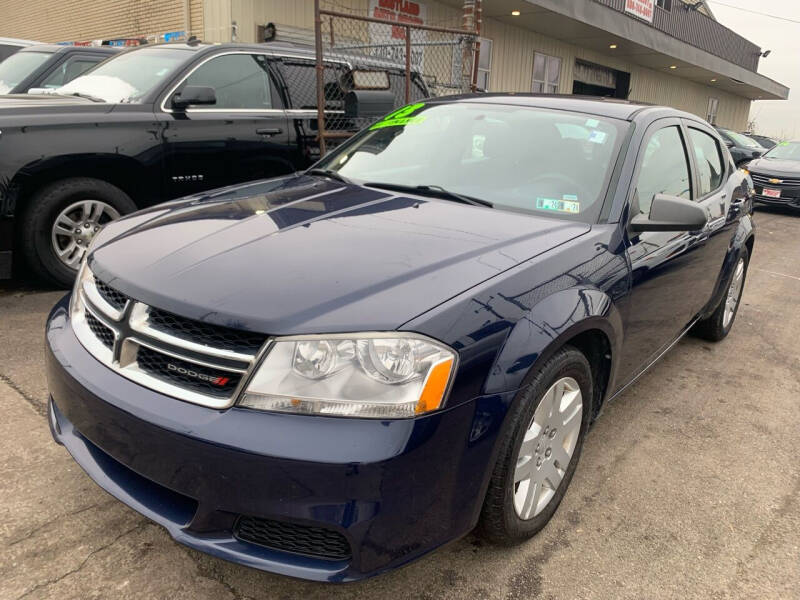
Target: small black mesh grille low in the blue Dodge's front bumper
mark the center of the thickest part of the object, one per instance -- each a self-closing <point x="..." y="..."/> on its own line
<point x="291" y="537"/>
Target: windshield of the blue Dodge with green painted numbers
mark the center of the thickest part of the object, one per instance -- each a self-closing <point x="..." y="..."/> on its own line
<point x="518" y="158"/>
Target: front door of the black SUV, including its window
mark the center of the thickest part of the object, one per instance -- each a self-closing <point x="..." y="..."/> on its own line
<point x="242" y="137"/>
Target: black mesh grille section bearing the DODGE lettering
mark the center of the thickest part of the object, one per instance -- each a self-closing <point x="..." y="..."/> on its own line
<point x="205" y="380"/>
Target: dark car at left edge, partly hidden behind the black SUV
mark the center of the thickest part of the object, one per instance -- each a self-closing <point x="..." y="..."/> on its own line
<point x="49" y="66"/>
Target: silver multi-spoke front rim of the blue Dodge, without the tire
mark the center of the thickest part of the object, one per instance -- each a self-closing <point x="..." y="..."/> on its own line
<point x="547" y="447"/>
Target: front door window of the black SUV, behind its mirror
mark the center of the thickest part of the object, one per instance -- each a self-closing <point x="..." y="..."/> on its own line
<point x="239" y="81"/>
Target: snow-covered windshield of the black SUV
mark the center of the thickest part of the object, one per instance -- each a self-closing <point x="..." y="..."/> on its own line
<point x="127" y="77"/>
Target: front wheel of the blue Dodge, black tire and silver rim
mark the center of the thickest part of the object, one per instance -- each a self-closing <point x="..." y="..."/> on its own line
<point x="500" y="520"/>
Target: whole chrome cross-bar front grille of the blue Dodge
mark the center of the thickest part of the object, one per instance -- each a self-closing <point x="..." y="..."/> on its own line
<point x="193" y="361"/>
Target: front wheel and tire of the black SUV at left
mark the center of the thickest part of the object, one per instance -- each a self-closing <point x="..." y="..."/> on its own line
<point x="60" y="221"/>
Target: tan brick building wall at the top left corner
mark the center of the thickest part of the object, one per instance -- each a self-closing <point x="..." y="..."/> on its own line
<point x="79" y="20"/>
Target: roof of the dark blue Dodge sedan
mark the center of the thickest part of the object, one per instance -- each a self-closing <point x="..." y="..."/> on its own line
<point x="604" y="107"/>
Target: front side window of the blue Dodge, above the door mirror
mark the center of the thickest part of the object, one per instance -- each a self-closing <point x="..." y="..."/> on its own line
<point x="665" y="168"/>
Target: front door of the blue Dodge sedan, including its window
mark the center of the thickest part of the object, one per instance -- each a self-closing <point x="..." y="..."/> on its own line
<point x="662" y="262"/>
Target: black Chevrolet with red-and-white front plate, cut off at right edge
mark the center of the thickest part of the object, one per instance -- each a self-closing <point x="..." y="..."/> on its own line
<point x="776" y="175"/>
